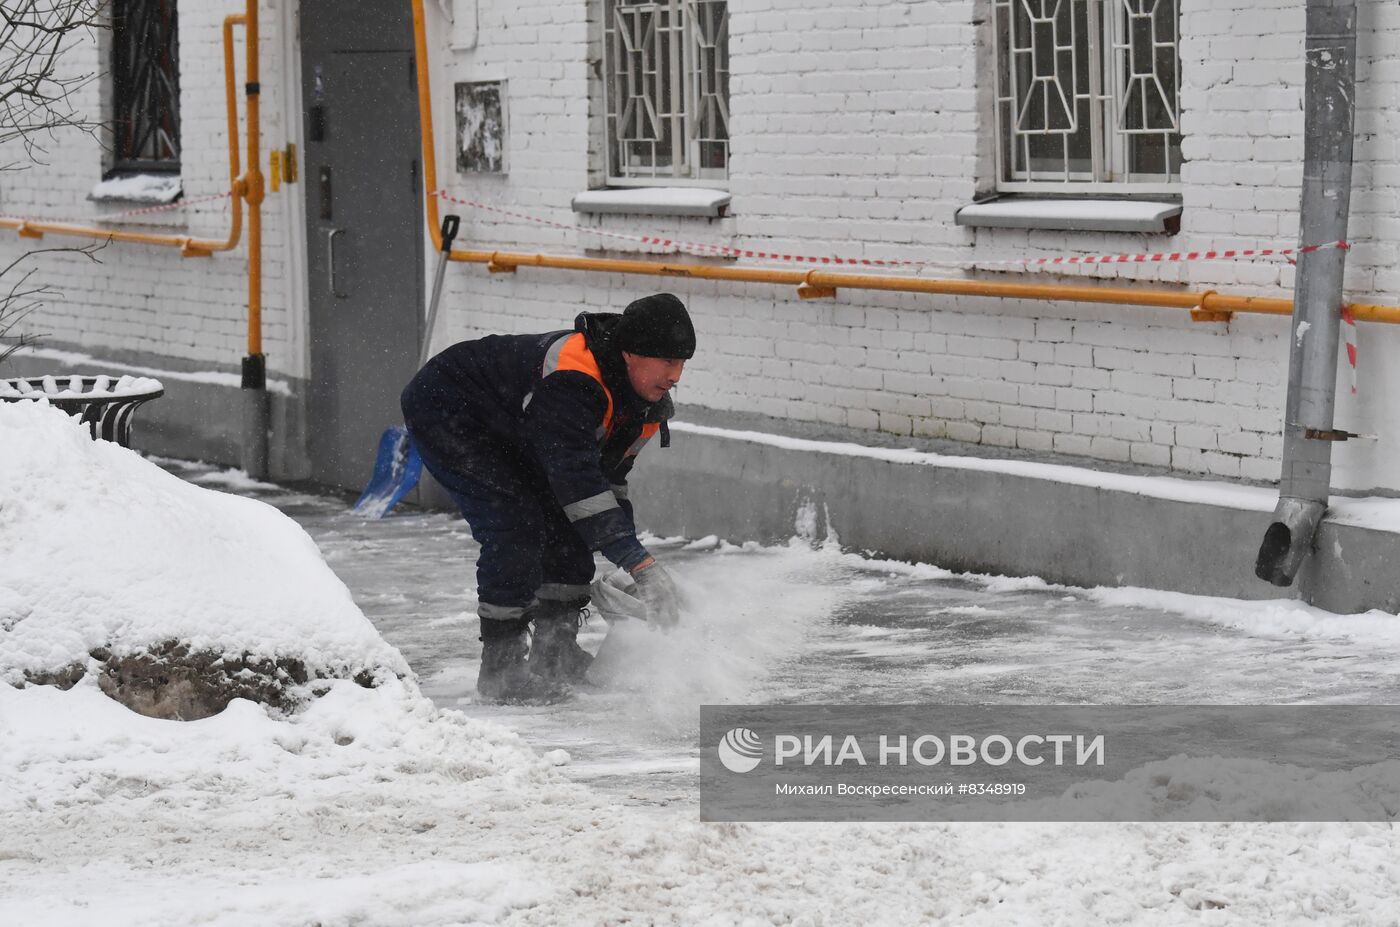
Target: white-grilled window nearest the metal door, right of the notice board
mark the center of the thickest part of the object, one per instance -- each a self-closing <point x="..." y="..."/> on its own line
<point x="667" y="67"/>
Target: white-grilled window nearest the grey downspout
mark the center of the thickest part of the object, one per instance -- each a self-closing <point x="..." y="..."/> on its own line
<point x="1088" y="96"/>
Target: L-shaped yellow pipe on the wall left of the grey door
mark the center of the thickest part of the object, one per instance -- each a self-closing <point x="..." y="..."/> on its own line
<point x="190" y="246"/>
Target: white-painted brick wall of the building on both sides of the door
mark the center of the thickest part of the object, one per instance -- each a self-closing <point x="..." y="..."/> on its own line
<point x="859" y="128"/>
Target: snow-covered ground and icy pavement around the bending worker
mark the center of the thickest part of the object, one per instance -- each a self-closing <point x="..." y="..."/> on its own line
<point x="381" y="807"/>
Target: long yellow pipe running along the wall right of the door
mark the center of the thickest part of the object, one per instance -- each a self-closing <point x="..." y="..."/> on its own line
<point x="1207" y="306"/>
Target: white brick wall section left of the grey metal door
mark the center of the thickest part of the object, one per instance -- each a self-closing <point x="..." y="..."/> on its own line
<point x="143" y="299"/>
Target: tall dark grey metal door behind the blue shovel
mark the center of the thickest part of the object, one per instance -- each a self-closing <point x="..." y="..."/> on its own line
<point x="365" y="235"/>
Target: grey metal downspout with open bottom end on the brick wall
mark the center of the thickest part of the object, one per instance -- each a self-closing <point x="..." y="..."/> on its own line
<point x="1329" y="110"/>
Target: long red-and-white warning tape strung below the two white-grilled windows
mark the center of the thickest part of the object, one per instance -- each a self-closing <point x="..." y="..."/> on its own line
<point x="724" y="251"/>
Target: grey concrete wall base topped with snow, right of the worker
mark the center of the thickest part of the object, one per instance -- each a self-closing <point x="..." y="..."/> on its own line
<point x="1003" y="517"/>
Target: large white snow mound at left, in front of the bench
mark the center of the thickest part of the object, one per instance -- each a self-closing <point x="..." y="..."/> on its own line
<point x="101" y="550"/>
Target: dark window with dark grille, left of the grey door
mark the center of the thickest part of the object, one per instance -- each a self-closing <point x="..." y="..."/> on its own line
<point x="146" y="86"/>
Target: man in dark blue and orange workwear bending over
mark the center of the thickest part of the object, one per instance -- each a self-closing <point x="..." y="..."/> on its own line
<point x="534" y="438"/>
